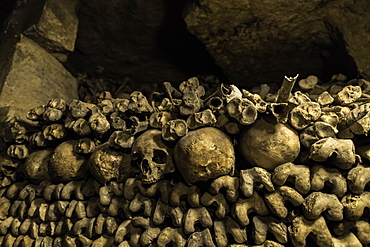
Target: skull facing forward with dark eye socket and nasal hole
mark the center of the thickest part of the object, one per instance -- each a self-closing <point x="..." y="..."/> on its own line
<point x="153" y="156"/>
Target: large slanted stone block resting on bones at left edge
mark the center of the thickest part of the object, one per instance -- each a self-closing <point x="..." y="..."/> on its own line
<point x="33" y="78"/>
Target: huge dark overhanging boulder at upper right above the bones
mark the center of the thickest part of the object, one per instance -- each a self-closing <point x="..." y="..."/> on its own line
<point x="260" y="41"/>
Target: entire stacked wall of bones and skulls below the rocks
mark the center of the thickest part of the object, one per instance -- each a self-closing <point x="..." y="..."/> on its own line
<point x="235" y="168"/>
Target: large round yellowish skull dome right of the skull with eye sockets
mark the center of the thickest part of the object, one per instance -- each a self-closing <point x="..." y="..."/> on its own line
<point x="204" y="154"/>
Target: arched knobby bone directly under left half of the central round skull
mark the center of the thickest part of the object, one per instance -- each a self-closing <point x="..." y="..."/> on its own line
<point x="192" y="194"/>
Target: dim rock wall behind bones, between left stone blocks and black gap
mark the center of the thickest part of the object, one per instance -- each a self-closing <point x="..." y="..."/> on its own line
<point x="119" y="38"/>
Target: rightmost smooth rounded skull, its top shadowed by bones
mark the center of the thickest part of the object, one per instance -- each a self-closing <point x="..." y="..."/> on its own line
<point x="268" y="144"/>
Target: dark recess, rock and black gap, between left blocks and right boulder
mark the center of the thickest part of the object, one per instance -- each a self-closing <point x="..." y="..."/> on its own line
<point x="144" y="40"/>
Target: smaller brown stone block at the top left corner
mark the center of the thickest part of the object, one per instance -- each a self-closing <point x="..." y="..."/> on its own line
<point x="56" y="29"/>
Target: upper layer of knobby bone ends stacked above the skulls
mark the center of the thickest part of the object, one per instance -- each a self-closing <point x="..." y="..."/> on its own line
<point x="226" y="110"/>
